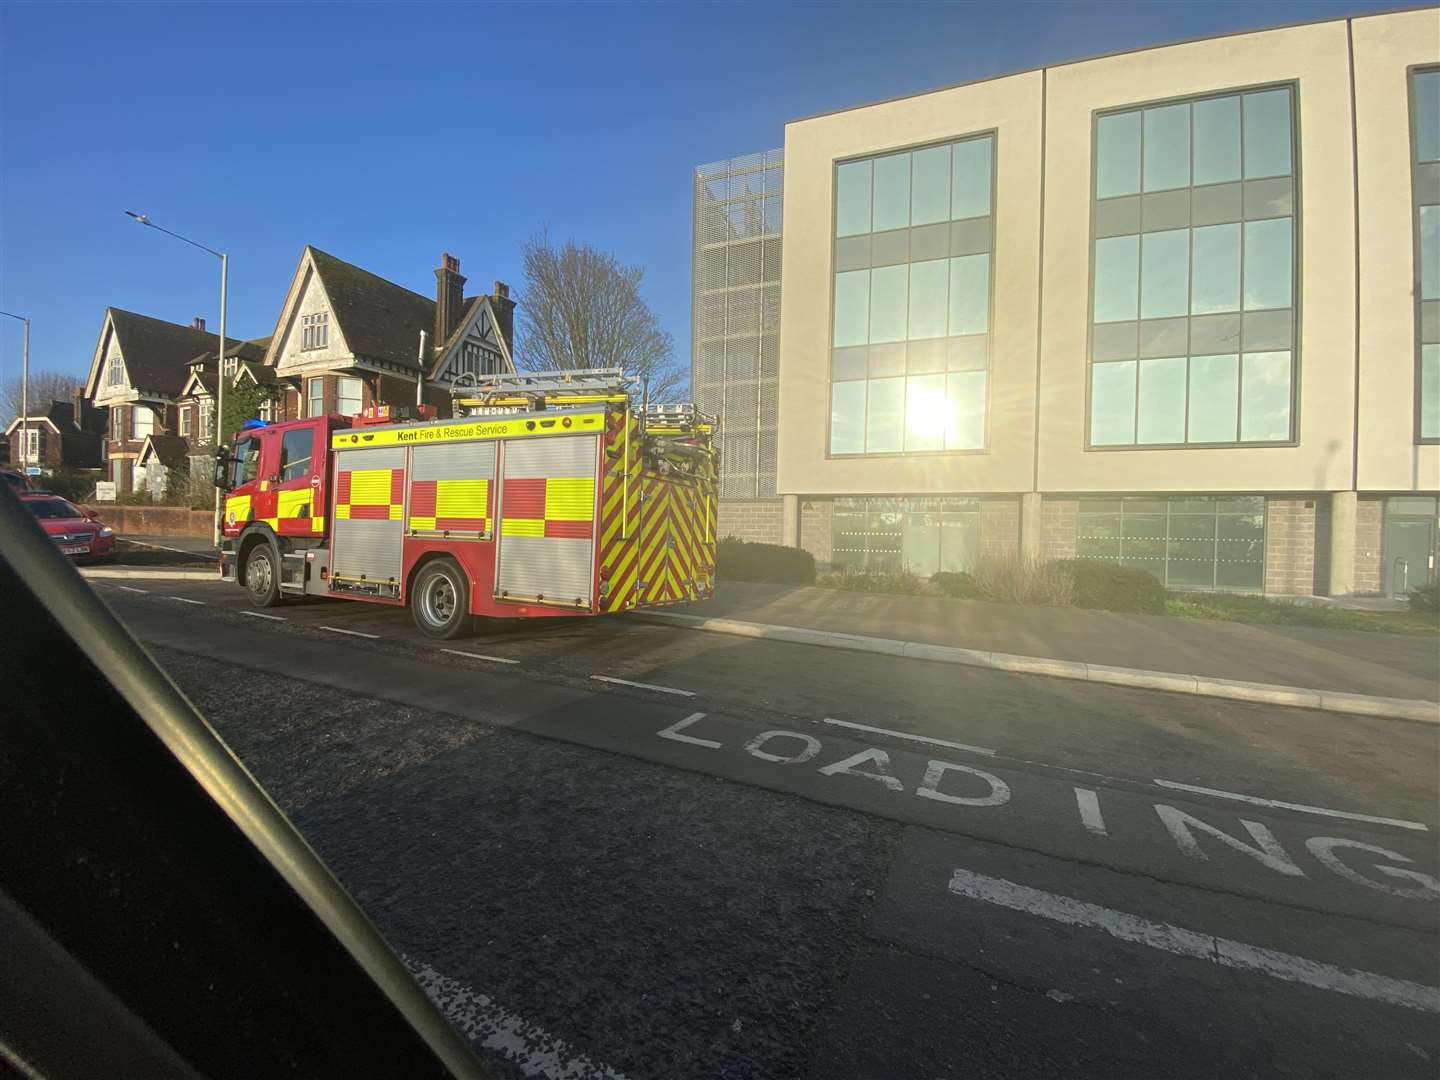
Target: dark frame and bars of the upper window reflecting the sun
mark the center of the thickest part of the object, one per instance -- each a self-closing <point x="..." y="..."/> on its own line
<point x="993" y="135"/>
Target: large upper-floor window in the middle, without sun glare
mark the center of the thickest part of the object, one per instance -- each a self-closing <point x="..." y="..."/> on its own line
<point x="1193" y="286"/>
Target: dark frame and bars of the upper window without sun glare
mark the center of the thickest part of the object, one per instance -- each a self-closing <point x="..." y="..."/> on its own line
<point x="1297" y="269"/>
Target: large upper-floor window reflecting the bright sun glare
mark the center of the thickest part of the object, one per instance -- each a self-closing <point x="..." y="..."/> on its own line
<point x="911" y="335"/>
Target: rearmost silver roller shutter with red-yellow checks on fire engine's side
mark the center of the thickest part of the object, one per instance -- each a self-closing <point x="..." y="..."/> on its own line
<point x="548" y="521"/>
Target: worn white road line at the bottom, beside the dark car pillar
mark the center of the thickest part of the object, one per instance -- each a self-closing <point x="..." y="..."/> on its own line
<point x="482" y="1020"/>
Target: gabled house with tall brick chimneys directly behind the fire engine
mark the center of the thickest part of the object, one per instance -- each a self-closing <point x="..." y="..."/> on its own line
<point x="348" y="339"/>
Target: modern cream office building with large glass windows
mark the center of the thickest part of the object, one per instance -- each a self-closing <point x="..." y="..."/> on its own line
<point x="1177" y="309"/>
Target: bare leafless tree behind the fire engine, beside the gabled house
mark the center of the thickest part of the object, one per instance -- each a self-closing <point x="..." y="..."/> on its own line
<point x="582" y="309"/>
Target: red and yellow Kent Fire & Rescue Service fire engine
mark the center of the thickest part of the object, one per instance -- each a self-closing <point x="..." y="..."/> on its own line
<point x="555" y="495"/>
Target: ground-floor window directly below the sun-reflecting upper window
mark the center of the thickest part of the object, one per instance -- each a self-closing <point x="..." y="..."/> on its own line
<point x="921" y="535"/>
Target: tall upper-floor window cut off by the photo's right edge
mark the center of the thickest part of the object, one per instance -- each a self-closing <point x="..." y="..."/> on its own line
<point x="1425" y="117"/>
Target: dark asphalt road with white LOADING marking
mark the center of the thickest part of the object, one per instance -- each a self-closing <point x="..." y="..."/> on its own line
<point x="620" y="849"/>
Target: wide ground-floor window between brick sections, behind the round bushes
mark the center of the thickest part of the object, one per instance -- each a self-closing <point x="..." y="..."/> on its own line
<point x="1192" y="542"/>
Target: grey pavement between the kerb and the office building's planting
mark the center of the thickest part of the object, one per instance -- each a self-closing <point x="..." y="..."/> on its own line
<point x="1347" y="662"/>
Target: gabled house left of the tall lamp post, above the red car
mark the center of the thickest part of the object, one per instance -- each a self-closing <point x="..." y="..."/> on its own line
<point x="139" y="374"/>
